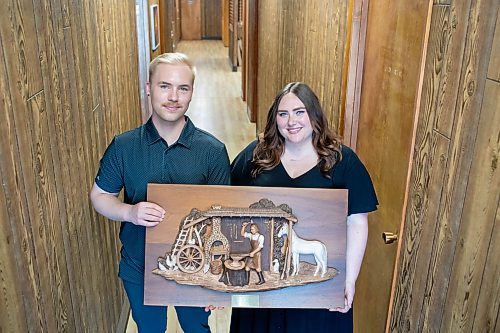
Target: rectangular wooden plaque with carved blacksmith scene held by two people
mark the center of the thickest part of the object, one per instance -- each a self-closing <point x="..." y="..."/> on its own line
<point x="246" y="246"/>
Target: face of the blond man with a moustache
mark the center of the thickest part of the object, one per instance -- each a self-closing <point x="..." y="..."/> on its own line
<point x="170" y="89"/>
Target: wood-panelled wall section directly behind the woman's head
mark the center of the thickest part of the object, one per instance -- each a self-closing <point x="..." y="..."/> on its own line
<point x="302" y="41"/>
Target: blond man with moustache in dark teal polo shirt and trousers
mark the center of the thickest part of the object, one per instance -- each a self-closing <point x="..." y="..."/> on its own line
<point x="168" y="149"/>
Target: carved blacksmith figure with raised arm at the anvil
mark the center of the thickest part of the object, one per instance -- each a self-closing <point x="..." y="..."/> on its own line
<point x="256" y="244"/>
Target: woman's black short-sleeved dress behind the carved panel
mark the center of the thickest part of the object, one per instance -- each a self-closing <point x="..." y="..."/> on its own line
<point x="350" y="174"/>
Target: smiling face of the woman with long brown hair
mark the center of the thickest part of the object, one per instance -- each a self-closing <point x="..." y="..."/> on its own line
<point x="293" y="121"/>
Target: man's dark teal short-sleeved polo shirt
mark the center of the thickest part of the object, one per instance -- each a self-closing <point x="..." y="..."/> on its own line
<point x="140" y="156"/>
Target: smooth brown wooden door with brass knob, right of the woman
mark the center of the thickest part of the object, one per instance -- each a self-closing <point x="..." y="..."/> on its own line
<point x="392" y="61"/>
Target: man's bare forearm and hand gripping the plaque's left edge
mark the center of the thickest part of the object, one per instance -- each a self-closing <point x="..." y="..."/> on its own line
<point x="143" y="213"/>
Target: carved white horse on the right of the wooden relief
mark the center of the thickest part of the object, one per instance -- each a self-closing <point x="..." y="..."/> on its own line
<point x="303" y="246"/>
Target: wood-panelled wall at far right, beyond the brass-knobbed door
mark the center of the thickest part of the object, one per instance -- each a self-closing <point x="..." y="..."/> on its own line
<point x="449" y="270"/>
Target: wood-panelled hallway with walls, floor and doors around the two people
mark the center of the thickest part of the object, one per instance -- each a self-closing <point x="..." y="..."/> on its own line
<point x="415" y="90"/>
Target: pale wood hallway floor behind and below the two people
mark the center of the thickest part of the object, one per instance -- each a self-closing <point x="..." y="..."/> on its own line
<point x="218" y="108"/>
